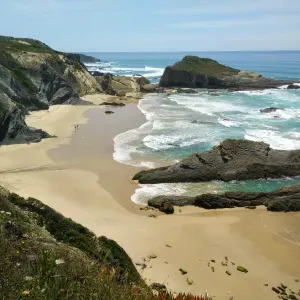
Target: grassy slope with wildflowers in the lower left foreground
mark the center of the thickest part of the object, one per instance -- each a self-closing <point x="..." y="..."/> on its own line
<point x="45" y="256"/>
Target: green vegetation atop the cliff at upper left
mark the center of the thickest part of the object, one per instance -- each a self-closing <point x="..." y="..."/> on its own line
<point x="21" y="44"/>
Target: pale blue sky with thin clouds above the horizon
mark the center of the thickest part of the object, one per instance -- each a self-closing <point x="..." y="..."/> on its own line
<point x="155" y="25"/>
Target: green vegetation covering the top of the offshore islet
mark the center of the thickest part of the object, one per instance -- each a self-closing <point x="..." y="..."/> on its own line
<point x="206" y="66"/>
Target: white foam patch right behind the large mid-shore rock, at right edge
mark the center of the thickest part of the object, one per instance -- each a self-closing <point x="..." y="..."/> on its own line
<point x="275" y="139"/>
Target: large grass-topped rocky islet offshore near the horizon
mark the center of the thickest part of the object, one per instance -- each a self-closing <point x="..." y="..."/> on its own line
<point x="196" y="72"/>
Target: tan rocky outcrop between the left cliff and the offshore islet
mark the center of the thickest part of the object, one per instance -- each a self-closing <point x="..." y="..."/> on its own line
<point x="123" y="86"/>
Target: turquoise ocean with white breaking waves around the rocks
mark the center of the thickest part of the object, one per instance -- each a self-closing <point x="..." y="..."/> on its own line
<point x="179" y="125"/>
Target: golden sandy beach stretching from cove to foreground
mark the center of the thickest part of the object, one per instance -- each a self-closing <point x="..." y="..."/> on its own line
<point x="76" y="175"/>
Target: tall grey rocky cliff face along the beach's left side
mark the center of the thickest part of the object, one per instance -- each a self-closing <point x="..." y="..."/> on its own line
<point x="32" y="77"/>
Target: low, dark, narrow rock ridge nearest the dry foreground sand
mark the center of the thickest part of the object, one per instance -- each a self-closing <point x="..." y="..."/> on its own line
<point x="284" y="199"/>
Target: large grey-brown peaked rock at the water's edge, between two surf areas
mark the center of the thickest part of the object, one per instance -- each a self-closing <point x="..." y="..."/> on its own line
<point x="231" y="160"/>
